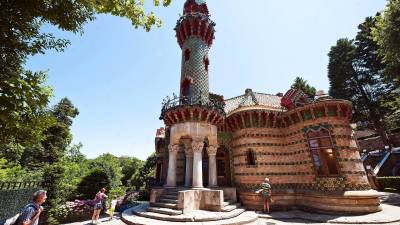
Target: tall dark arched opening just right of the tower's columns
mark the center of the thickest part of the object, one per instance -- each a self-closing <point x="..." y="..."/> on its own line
<point x="223" y="167"/>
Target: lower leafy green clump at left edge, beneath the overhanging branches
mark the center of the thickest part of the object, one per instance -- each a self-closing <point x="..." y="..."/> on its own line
<point x="23" y="107"/>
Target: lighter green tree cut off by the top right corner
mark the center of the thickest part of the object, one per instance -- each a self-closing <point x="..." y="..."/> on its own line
<point x="387" y="34"/>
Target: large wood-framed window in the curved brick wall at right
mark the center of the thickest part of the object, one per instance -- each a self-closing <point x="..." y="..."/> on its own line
<point x="322" y="152"/>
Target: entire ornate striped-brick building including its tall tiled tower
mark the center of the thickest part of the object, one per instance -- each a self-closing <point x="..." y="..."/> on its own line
<point x="305" y="146"/>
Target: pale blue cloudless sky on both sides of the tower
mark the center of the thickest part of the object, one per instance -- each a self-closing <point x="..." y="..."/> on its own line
<point x="117" y="76"/>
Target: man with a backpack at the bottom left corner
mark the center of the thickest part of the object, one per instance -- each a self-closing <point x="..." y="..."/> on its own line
<point x="30" y="213"/>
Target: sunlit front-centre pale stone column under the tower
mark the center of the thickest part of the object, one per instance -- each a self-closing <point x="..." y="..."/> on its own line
<point x="197" y="147"/>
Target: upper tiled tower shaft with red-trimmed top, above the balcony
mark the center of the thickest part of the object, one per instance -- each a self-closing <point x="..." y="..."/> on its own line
<point x="195" y="34"/>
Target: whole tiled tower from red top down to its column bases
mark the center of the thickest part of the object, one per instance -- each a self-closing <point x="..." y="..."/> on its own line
<point x="193" y="117"/>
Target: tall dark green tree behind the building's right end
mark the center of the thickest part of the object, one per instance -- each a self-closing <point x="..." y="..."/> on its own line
<point x="355" y="73"/>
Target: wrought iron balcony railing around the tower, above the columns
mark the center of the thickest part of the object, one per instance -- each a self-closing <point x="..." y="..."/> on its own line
<point x="176" y="101"/>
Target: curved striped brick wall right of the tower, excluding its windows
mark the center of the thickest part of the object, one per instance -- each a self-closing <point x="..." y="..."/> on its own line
<point x="282" y="153"/>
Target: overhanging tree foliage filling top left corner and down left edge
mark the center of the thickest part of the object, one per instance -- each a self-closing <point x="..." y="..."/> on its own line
<point x="23" y="94"/>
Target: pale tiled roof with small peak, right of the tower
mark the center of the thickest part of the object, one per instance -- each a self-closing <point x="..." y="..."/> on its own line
<point x="251" y="98"/>
